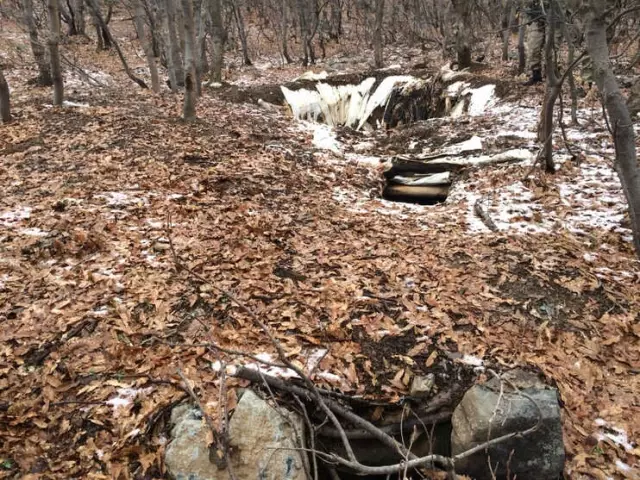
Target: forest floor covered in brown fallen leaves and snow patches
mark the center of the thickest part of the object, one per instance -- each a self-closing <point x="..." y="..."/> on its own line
<point x="96" y="318"/>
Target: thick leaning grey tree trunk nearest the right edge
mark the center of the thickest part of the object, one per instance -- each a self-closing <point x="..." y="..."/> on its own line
<point x="619" y="118"/>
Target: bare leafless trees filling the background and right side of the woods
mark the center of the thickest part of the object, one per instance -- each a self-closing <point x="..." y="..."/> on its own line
<point x="189" y="39"/>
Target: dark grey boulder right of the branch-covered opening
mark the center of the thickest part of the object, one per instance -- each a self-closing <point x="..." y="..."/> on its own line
<point x="536" y="456"/>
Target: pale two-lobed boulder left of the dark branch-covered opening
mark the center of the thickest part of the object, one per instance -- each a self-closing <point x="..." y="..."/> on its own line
<point x="262" y="440"/>
